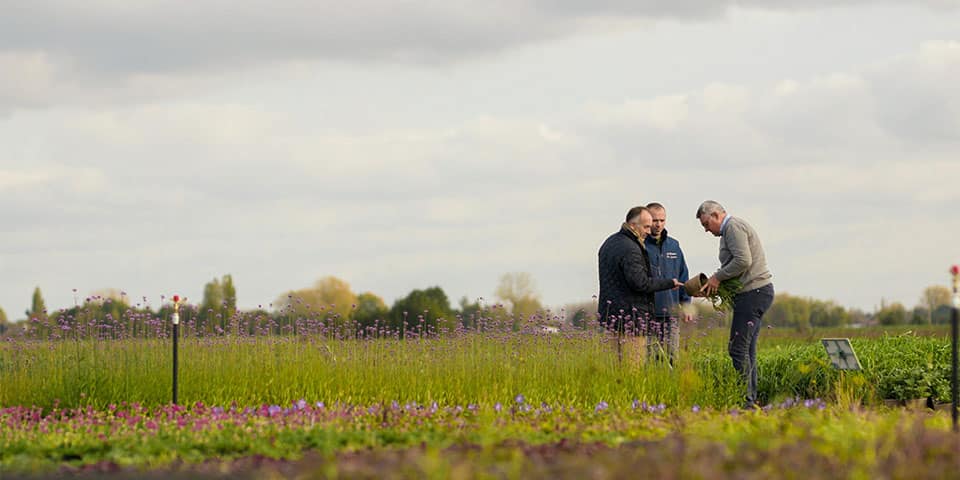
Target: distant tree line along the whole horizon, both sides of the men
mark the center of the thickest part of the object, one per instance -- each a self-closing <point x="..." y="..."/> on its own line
<point x="517" y="301"/>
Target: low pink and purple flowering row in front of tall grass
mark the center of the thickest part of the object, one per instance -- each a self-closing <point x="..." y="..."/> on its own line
<point x="131" y="436"/>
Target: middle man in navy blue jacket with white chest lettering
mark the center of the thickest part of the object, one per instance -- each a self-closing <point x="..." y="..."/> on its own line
<point x="666" y="261"/>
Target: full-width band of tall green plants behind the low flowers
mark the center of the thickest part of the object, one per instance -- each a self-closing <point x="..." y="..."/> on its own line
<point x="578" y="368"/>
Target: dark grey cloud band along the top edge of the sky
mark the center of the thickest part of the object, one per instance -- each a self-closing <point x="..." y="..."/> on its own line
<point x="170" y="36"/>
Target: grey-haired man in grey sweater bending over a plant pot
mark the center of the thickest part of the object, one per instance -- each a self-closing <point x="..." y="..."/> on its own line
<point x="742" y="258"/>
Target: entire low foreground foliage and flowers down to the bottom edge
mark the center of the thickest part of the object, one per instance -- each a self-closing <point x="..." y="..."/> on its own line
<point x="420" y="441"/>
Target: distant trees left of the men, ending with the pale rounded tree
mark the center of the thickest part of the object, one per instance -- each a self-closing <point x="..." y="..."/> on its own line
<point x="329" y="299"/>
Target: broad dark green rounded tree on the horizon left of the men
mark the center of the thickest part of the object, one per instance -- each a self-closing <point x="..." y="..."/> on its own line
<point x="422" y="310"/>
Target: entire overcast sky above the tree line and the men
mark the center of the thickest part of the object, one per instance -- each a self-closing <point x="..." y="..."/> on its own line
<point x="151" y="146"/>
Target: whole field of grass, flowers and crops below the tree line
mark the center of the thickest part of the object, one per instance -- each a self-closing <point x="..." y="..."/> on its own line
<point x="491" y="401"/>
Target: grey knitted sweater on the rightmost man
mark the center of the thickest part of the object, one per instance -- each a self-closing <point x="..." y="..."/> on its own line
<point x="741" y="256"/>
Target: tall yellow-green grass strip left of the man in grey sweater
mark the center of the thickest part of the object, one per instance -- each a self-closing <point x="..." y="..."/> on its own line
<point x="577" y="369"/>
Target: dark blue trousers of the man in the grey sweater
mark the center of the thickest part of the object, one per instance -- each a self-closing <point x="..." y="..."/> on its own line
<point x="748" y="310"/>
